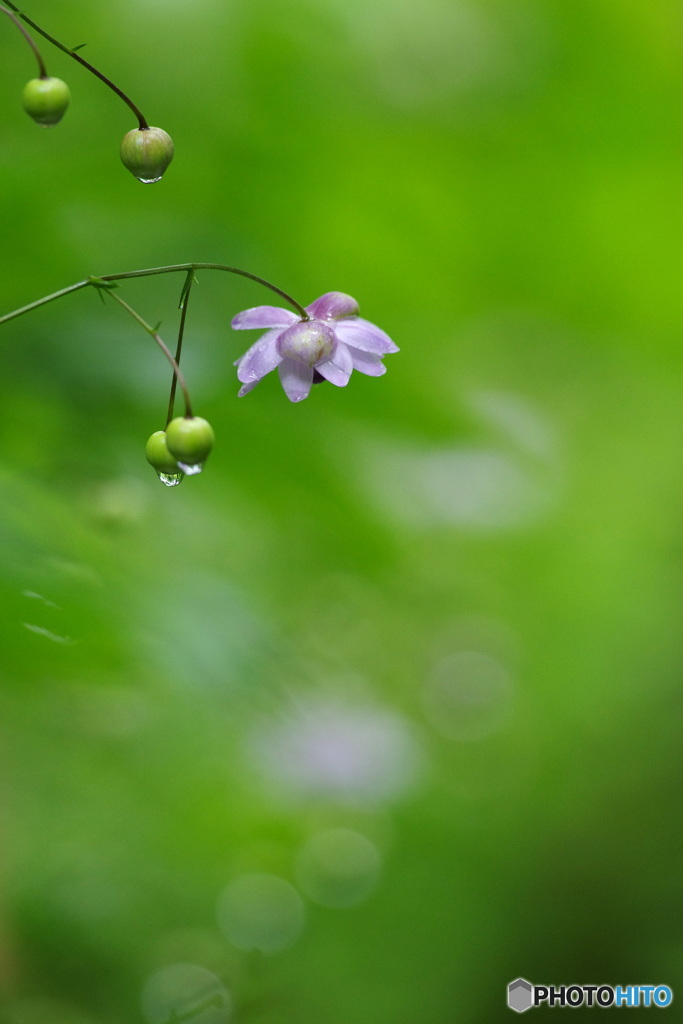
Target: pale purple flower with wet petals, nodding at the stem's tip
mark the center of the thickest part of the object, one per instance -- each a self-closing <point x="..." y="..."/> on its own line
<point x="329" y="347"/>
